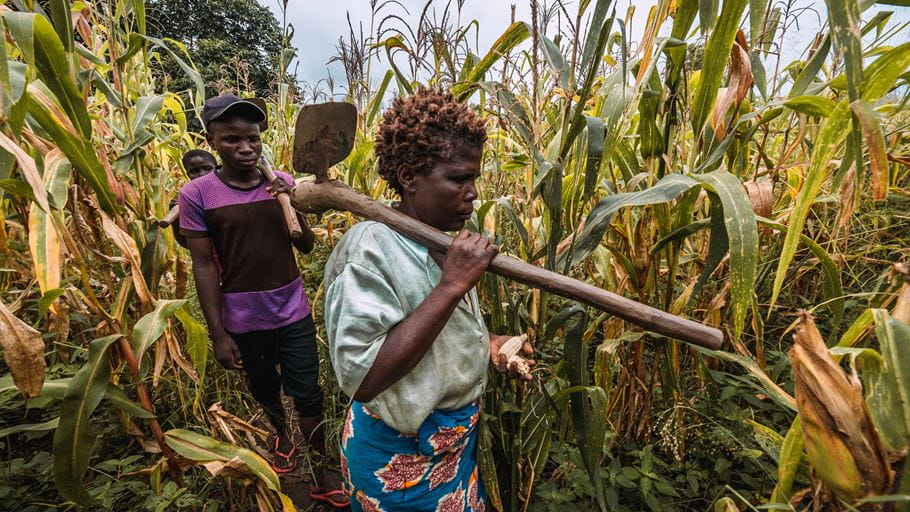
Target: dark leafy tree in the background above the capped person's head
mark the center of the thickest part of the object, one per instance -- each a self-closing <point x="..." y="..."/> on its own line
<point x="235" y="44"/>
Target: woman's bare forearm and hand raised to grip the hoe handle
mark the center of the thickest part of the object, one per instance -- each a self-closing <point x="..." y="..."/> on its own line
<point x="408" y="341"/>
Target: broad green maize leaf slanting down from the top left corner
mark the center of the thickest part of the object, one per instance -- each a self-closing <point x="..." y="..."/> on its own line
<point x="49" y="59"/>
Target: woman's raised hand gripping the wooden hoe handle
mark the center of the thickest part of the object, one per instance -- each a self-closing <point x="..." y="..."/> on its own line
<point x="467" y="259"/>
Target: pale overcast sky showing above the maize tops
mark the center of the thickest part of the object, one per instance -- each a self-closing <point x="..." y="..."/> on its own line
<point x="319" y="23"/>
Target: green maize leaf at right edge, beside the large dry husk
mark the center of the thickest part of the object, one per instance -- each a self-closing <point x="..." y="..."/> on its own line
<point x="888" y="386"/>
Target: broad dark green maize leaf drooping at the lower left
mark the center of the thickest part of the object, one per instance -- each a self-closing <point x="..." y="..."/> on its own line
<point x="73" y="441"/>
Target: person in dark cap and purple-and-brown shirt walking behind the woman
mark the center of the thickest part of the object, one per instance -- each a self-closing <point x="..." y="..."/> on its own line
<point x="257" y="311"/>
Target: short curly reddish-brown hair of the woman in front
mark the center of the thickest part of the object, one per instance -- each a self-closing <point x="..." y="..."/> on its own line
<point x="424" y="128"/>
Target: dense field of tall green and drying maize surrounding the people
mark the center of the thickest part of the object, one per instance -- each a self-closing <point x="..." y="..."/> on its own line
<point x="700" y="164"/>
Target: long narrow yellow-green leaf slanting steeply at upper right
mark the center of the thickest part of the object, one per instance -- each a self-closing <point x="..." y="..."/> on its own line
<point x="829" y="140"/>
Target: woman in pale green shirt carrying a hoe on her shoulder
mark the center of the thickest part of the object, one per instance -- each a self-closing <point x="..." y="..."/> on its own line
<point x="406" y="335"/>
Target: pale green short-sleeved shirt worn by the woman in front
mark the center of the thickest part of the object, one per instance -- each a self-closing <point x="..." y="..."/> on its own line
<point x="374" y="279"/>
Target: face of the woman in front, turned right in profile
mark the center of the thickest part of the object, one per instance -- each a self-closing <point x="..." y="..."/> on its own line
<point x="443" y="198"/>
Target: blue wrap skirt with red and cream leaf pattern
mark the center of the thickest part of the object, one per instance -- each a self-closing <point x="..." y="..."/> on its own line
<point x="433" y="470"/>
